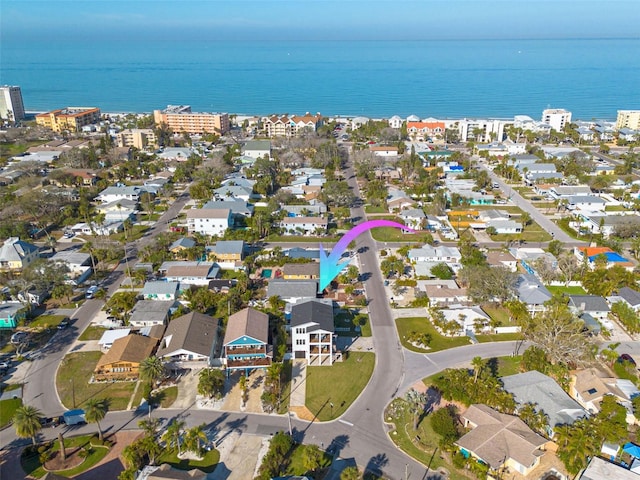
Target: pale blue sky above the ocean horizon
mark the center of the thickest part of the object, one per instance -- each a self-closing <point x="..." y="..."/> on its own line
<point x="318" y="20"/>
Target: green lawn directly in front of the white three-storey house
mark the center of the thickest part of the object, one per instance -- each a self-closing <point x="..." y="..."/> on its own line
<point x="347" y="379"/>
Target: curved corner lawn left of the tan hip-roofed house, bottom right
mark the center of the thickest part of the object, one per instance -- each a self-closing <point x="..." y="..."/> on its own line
<point x="422" y="443"/>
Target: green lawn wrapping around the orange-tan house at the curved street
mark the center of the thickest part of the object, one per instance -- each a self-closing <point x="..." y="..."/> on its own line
<point x="73" y="381"/>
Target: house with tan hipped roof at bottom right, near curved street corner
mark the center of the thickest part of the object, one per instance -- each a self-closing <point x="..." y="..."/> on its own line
<point x="500" y="440"/>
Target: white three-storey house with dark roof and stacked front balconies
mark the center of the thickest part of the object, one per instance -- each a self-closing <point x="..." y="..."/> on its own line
<point x="312" y="332"/>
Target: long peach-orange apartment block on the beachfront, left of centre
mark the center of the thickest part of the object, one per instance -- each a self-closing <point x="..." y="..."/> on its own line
<point x="180" y="118"/>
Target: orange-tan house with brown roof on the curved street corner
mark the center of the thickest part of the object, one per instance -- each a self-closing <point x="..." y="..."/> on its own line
<point x="122" y="361"/>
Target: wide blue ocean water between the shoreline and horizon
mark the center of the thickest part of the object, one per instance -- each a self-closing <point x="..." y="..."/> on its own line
<point x="446" y="79"/>
